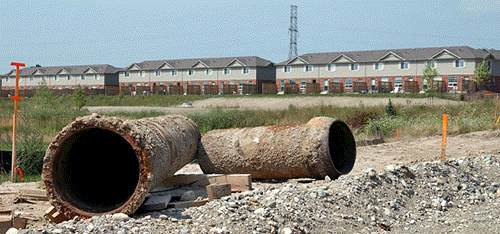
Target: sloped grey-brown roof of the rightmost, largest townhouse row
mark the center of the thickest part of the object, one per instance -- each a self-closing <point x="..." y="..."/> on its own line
<point x="410" y="54"/>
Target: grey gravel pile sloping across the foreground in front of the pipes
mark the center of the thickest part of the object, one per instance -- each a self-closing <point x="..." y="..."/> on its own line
<point x="459" y="196"/>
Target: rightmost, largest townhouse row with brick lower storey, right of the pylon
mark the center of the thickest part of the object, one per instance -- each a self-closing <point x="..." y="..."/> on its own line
<point x="387" y="70"/>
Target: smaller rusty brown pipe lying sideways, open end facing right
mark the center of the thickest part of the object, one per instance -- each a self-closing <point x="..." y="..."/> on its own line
<point x="323" y="146"/>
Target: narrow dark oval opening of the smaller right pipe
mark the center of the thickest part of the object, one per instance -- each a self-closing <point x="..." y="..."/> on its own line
<point x="342" y="147"/>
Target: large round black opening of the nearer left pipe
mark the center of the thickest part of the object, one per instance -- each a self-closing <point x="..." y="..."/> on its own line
<point x="96" y="170"/>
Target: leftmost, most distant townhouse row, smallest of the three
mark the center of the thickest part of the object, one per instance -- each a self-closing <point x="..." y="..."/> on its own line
<point x="96" y="79"/>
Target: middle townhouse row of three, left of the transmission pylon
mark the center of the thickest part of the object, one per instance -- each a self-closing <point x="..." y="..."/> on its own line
<point x="198" y="76"/>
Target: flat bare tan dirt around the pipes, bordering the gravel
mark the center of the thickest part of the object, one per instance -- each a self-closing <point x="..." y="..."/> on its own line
<point x="375" y="156"/>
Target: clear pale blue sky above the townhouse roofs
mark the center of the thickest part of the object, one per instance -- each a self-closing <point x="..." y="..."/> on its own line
<point x="53" y="33"/>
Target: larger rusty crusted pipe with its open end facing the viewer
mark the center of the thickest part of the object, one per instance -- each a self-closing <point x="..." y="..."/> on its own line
<point x="102" y="165"/>
